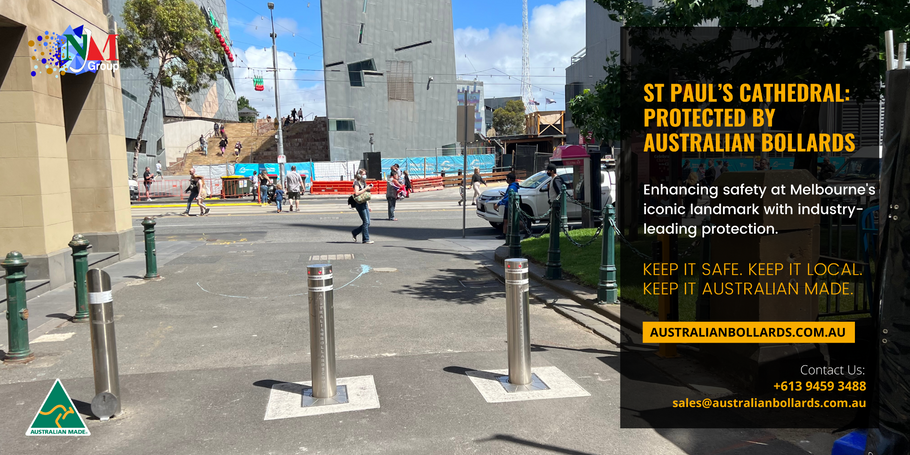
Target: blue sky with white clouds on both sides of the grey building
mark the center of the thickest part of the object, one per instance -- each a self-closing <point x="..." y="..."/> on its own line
<point x="487" y="46"/>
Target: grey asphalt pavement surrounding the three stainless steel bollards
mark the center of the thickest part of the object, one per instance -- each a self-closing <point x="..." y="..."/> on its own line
<point x="201" y="349"/>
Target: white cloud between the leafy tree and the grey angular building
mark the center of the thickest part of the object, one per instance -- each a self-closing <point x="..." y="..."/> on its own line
<point x="298" y="89"/>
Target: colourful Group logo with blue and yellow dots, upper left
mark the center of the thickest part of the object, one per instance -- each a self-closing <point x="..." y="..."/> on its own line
<point x="73" y="52"/>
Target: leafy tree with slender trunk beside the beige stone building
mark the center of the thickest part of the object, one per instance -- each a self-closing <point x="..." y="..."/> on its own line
<point x="174" y="32"/>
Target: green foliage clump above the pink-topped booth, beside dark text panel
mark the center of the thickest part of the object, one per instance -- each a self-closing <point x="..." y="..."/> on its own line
<point x="598" y="112"/>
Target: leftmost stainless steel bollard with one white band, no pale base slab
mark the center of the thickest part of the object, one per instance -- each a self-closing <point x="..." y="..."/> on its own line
<point x="104" y="345"/>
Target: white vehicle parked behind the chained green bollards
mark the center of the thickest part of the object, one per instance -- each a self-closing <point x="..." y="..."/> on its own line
<point x="534" y="196"/>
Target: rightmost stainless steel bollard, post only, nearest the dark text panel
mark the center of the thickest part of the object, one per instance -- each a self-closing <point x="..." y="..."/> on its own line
<point x="519" y="333"/>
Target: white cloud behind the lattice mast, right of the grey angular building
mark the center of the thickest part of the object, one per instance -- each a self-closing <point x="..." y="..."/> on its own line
<point x="556" y="33"/>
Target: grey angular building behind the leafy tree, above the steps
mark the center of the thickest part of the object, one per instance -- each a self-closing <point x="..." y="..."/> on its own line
<point x="172" y="124"/>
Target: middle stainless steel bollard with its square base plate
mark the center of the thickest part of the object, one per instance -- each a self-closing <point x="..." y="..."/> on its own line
<point x="325" y="390"/>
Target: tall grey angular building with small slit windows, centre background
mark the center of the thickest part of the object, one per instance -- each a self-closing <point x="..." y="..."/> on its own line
<point x="390" y="71"/>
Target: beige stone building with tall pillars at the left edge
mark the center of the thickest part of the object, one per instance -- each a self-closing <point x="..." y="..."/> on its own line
<point x="62" y="163"/>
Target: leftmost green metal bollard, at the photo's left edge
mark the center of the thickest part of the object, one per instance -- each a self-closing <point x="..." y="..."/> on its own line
<point x="16" y="309"/>
